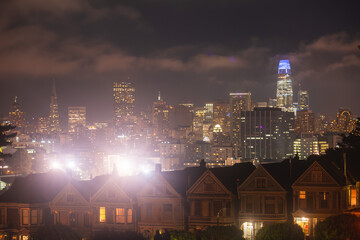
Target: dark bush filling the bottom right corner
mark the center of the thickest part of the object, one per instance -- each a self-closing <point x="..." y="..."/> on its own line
<point x="343" y="226"/>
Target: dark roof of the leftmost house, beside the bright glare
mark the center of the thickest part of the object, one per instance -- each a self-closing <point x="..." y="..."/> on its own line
<point x="35" y="188"/>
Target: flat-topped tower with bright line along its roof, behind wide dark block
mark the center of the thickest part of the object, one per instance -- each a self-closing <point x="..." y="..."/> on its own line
<point x="238" y="102"/>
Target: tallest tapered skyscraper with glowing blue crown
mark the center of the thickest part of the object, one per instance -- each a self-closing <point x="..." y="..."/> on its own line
<point x="284" y="92"/>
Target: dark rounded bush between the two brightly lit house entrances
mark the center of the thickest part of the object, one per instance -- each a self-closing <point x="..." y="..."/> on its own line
<point x="281" y="231"/>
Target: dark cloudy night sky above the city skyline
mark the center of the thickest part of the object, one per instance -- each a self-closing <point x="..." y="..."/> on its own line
<point x="190" y="50"/>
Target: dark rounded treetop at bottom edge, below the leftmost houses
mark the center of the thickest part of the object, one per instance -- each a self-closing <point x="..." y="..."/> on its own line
<point x="56" y="232"/>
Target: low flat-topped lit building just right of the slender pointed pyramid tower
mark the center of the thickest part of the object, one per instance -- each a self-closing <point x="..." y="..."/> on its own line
<point x="76" y="119"/>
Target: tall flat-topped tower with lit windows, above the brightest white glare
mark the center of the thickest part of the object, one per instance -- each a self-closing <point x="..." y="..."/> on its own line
<point x="123" y="102"/>
